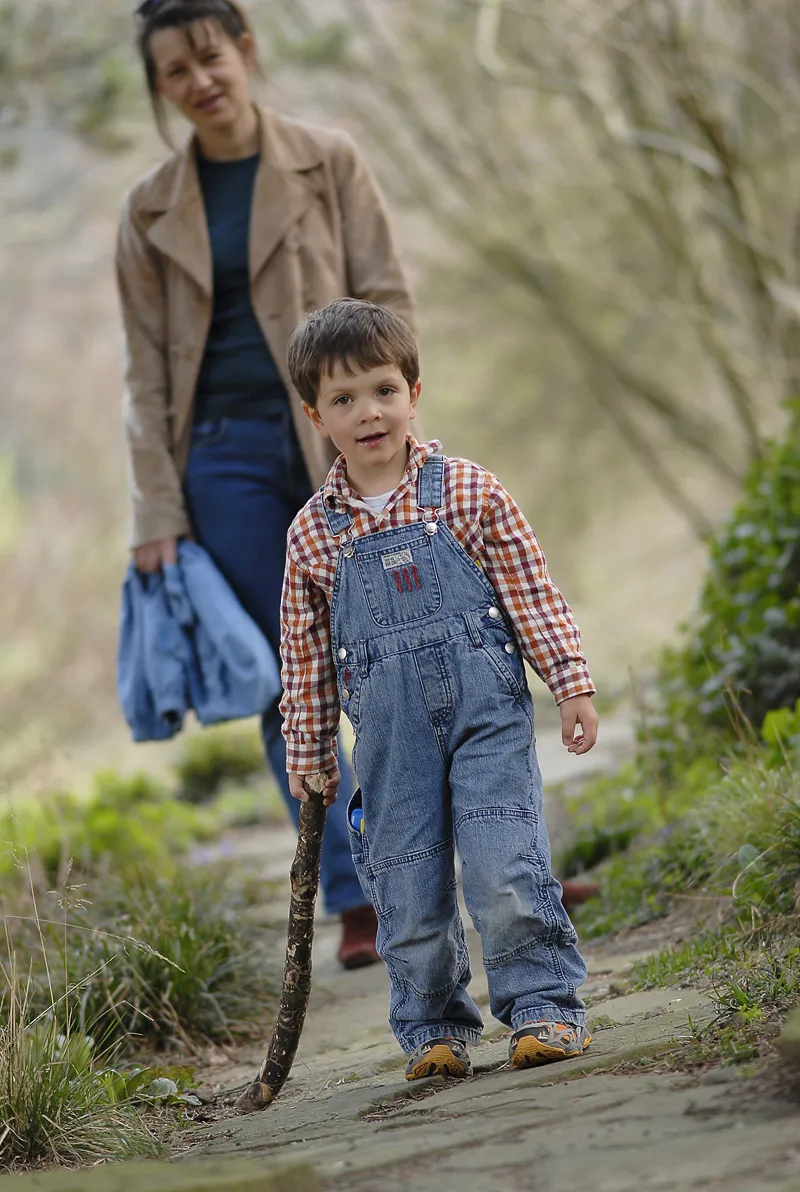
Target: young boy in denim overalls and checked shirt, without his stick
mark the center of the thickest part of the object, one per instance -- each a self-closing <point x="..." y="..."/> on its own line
<point x="414" y="586"/>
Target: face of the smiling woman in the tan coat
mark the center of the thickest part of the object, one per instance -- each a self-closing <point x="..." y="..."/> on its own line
<point x="204" y="74"/>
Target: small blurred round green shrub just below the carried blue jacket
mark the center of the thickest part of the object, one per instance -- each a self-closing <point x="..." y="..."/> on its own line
<point x="226" y="754"/>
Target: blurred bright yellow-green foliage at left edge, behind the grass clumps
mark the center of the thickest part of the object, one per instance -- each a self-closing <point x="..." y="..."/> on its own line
<point x="126" y="822"/>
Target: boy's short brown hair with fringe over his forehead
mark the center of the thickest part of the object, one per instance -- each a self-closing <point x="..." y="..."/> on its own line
<point x="354" y="334"/>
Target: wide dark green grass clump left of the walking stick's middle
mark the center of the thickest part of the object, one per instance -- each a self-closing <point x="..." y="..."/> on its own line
<point x="159" y="960"/>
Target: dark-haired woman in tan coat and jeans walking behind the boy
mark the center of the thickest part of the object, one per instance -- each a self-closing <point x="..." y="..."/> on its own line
<point x="221" y="252"/>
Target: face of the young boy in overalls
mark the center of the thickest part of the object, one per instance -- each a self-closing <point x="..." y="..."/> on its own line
<point x="368" y="415"/>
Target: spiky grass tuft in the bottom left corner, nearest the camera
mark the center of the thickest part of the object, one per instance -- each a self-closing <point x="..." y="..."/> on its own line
<point x="60" y="1103"/>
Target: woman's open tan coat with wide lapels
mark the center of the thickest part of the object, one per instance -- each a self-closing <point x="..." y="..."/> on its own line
<point x="319" y="232"/>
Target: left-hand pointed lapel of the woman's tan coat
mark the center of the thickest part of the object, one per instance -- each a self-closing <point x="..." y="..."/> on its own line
<point x="182" y="233"/>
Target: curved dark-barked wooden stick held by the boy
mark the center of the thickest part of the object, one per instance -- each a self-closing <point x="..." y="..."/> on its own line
<point x="297" y="972"/>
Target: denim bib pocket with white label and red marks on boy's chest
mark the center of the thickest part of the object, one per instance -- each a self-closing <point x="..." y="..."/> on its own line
<point x="400" y="581"/>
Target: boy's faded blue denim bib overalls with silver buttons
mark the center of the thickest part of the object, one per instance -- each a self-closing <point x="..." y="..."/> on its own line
<point x="431" y="676"/>
